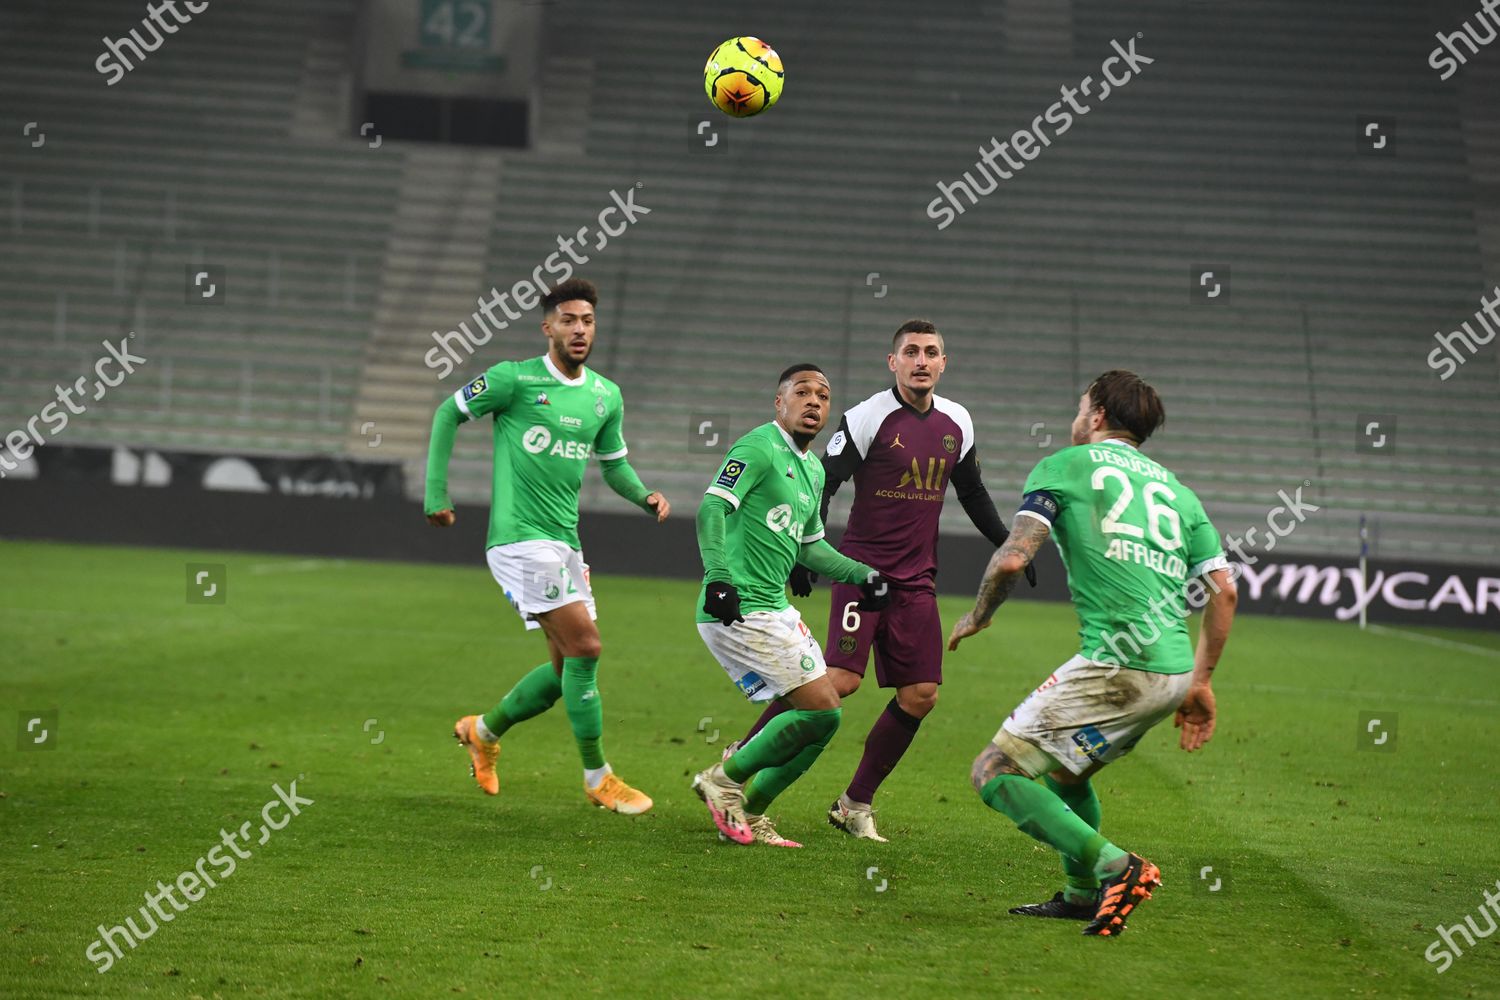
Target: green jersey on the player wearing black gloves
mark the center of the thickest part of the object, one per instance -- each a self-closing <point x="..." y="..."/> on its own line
<point x="776" y="493"/>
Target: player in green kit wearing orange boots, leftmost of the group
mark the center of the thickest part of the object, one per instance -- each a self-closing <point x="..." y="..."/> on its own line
<point x="550" y="416"/>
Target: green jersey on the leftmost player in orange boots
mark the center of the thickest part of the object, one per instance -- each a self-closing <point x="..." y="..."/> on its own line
<point x="547" y="428"/>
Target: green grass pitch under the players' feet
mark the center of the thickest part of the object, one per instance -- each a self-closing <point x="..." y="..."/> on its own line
<point x="401" y="879"/>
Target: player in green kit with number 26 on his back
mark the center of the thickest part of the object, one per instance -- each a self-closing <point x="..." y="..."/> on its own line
<point x="1141" y="555"/>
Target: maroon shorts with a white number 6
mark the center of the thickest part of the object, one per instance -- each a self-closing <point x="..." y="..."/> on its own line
<point x="907" y="636"/>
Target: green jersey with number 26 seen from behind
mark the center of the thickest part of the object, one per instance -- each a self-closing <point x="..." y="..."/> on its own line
<point x="1132" y="539"/>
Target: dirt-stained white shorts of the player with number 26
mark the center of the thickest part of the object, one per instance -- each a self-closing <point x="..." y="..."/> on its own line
<point x="1091" y="713"/>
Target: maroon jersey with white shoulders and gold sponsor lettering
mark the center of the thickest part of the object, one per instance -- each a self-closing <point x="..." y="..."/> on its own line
<point x="901" y="463"/>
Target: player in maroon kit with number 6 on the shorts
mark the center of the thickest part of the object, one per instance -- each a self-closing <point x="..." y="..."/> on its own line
<point x="901" y="448"/>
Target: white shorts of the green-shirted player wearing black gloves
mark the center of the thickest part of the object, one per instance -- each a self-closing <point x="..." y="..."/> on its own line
<point x="767" y="654"/>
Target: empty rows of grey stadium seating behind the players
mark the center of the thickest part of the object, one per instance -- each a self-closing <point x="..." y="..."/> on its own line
<point x="803" y="236"/>
